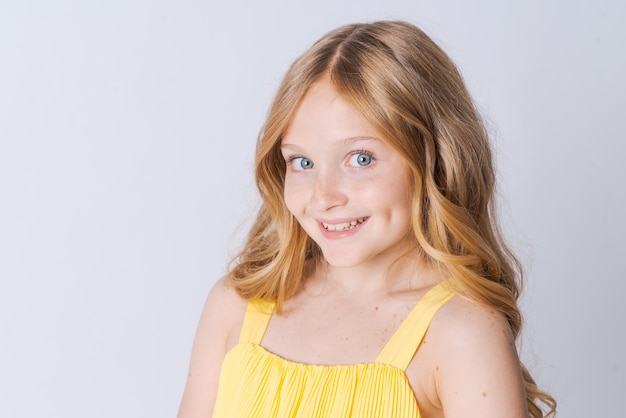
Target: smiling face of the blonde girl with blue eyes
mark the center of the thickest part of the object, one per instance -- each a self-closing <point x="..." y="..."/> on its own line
<point x="347" y="188"/>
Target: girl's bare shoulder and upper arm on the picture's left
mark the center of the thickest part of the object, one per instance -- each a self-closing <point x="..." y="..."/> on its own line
<point x="217" y="332"/>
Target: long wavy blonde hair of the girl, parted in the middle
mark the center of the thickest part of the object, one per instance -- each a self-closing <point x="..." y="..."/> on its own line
<point x="412" y="94"/>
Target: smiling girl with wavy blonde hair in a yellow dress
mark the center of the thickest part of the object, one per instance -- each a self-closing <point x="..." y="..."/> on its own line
<point x="375" y="281"/>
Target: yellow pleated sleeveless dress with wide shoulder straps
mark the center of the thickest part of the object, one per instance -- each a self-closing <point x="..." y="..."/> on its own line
<point x="256" y="383"/>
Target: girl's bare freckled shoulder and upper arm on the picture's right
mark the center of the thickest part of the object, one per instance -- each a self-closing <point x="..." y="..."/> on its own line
<point x="476" y="370"/>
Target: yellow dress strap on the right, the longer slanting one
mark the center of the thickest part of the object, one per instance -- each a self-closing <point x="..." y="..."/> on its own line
<point x="405" y="341"/>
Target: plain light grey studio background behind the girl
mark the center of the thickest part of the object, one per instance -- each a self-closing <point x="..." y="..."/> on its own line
<point x="127" y="131"/>
